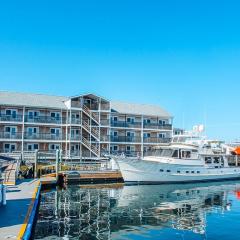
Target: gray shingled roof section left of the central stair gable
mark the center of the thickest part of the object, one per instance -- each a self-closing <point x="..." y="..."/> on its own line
<point x="34" y="100"/>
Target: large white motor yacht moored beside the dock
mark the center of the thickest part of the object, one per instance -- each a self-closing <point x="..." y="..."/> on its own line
<point x="184" y="160"/>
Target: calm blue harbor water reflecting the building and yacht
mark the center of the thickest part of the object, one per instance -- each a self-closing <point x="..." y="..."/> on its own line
<point x="199" y="211"/>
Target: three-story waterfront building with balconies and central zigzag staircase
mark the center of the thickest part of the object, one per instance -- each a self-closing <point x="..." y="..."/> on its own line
<point x="82" y="126"/>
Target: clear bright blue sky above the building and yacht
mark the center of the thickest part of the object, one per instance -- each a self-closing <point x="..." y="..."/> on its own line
<point x="183" y="55"/>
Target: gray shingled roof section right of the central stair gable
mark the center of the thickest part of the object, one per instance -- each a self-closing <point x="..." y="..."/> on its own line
<point x="139" y="109"/>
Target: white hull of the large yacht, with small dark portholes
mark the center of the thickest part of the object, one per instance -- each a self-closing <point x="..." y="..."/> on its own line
<point x="141" y="171"/>
